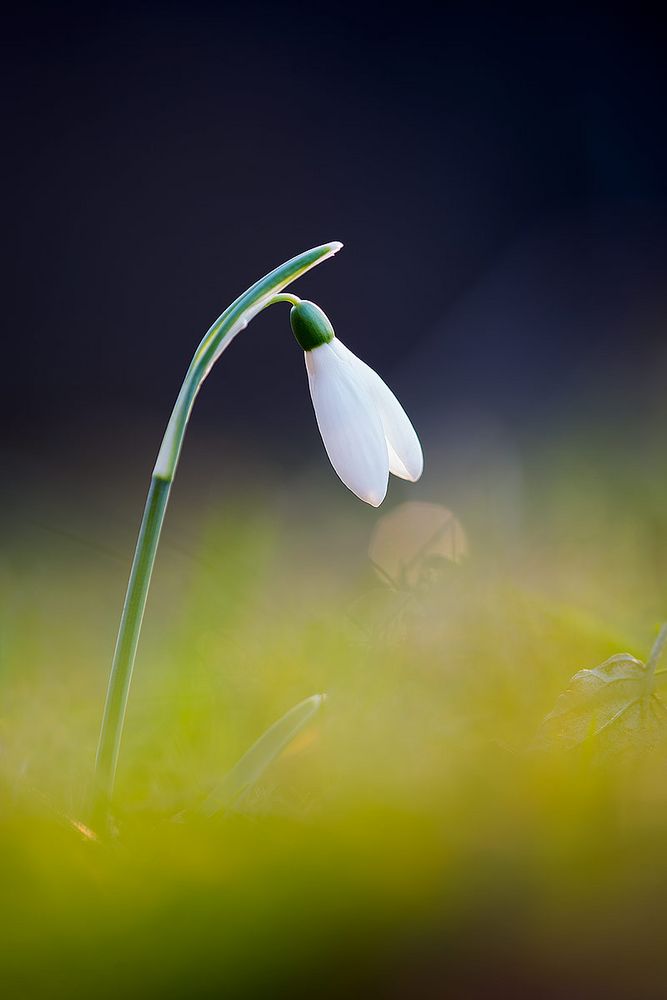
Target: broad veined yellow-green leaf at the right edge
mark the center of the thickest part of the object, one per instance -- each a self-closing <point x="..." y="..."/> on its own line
<point x="613" y="704"/>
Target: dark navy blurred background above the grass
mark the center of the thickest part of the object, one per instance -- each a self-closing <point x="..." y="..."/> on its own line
<point x="499" y="181"/>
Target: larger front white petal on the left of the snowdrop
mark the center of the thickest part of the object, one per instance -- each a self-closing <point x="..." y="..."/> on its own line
<point x="349" y="424"/>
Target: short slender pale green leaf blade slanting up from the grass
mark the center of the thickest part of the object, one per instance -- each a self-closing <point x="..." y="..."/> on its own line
<point x="254" y="761"/>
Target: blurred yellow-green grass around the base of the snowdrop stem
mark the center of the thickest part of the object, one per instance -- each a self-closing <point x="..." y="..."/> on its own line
<point x="414" y="839"/>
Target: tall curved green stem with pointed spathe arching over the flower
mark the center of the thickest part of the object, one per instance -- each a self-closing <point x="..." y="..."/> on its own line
<point x="235" y="318"/>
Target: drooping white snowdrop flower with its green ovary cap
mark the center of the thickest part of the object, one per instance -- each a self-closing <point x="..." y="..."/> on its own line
<point x="364" y="428"/>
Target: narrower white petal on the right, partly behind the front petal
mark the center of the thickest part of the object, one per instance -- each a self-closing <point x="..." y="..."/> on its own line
<point x="406" y="459"/>
